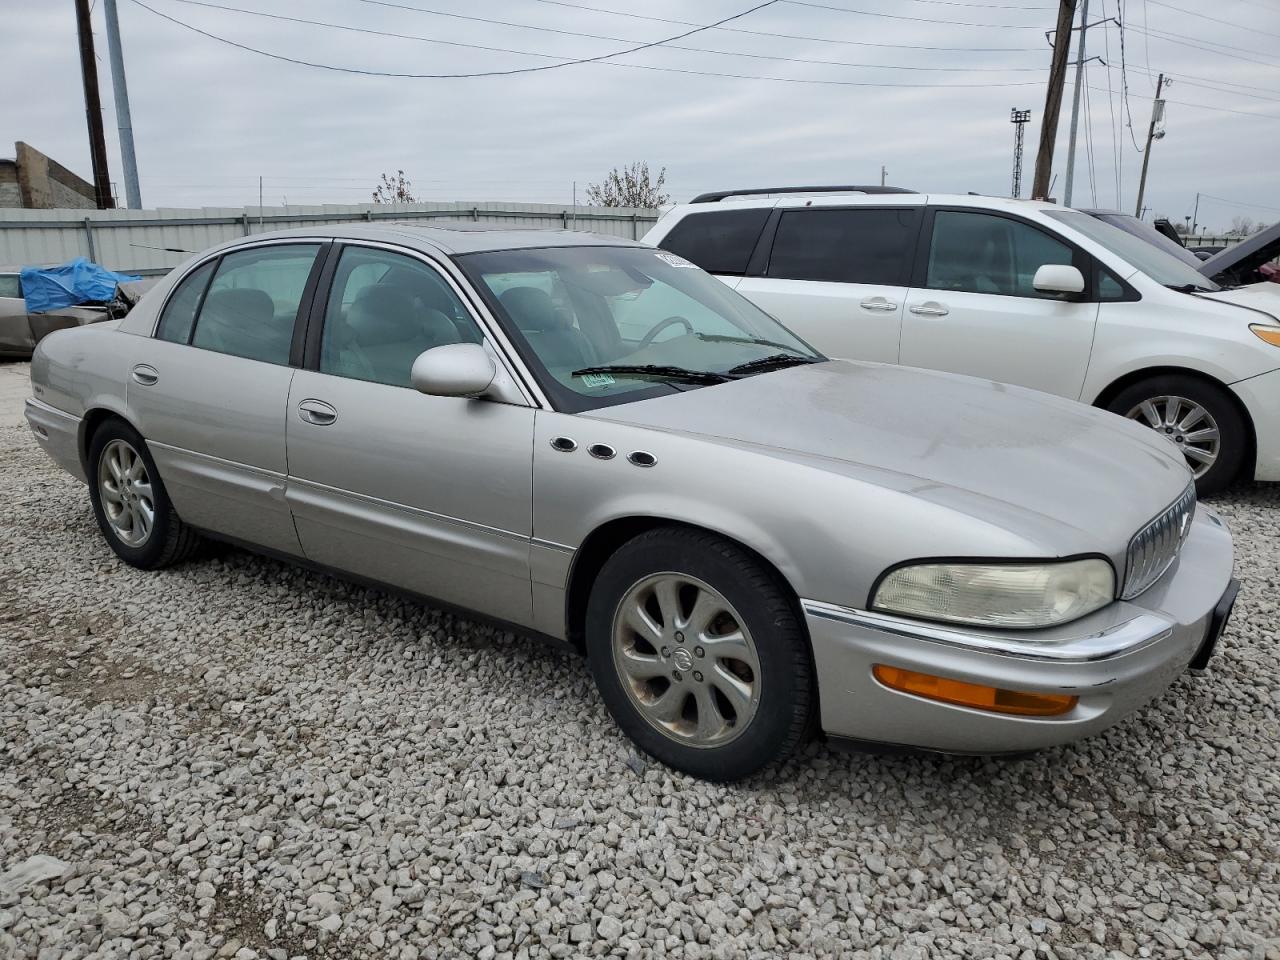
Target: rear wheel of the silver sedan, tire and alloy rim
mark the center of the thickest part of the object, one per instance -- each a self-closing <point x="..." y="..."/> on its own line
<point x="163" y="541"/>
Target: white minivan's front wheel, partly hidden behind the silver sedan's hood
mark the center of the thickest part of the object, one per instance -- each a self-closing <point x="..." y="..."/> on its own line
<point x="1160" y="400"/>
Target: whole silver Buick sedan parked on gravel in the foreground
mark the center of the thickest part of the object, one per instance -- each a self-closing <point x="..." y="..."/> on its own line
<point x="596" y="441"/>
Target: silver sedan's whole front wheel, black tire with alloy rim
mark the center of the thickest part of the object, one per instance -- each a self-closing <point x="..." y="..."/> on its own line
<point x="748" y="696"/>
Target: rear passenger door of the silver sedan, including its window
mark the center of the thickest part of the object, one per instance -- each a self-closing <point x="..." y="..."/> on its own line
<point x="209" y="391"/>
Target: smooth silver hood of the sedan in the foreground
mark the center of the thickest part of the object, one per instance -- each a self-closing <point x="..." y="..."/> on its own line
<point x="1025" y="461"/>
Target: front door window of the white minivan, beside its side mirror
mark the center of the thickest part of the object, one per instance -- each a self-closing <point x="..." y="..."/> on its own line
<point x="982" y="254"/>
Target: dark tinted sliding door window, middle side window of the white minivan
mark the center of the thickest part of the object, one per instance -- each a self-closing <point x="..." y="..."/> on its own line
<point x="847" y="246"/>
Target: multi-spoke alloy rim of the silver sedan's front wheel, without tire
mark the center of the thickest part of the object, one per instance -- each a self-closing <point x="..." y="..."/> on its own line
<point x="687" y="661"/>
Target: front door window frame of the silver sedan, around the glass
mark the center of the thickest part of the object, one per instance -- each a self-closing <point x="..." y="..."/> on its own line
<point x="314" y="324"/>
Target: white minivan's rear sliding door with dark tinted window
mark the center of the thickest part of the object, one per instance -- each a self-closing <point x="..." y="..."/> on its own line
<point x="838" y="277"/>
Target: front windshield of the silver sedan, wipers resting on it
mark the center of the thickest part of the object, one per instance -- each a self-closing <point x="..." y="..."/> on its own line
<point x="602" y="326"/>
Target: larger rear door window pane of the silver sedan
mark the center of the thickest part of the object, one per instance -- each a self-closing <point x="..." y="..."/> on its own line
<point x="253" y="304"/>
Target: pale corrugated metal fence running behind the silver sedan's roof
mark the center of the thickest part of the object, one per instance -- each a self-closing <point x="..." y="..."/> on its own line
<point x="152" y="243"/>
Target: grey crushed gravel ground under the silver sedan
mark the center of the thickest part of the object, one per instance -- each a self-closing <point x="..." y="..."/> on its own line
<point x="236" y="758"/>
